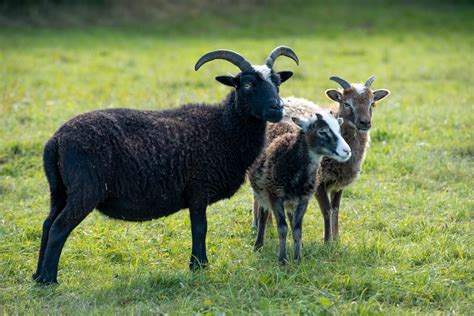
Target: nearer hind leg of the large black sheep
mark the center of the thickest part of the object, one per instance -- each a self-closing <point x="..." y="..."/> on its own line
<point x="66" y="221"/>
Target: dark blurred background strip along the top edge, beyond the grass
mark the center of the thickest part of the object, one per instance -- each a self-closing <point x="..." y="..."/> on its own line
<point x="58" y="13"/>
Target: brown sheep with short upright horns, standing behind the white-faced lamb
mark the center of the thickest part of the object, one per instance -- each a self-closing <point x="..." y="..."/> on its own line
<point x="354" y="104"/>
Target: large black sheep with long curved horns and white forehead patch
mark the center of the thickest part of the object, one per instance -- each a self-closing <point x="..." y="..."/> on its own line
<point x="140" y="165"/>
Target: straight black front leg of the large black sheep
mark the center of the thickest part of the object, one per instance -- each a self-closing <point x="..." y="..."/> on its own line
<point x="199" y="231"/>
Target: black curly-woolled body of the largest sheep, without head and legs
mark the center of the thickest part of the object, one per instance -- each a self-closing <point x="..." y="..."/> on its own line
<point x="138" y="165"/>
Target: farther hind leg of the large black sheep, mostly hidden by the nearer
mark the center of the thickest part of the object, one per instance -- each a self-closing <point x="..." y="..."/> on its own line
<point x="57" y="204"/>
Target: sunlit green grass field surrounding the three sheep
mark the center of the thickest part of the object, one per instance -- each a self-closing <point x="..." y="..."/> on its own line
<point x="406" y="233"/>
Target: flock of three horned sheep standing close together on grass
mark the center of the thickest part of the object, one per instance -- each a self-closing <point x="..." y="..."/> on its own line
<point x="138" y="165"/>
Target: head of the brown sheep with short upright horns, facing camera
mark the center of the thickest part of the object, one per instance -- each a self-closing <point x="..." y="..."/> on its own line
<point x="356" y="102"/>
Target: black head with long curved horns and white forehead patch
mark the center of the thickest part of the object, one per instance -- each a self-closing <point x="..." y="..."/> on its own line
<point x="256" y="86"/>
